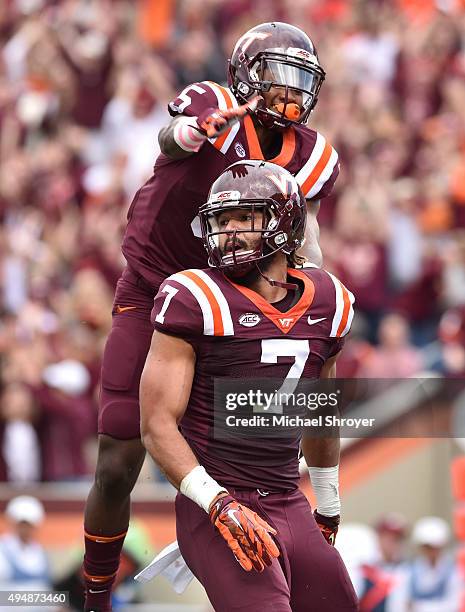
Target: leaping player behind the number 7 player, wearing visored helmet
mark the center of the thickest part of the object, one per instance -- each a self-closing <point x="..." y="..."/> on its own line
<point x="275" y="78"/>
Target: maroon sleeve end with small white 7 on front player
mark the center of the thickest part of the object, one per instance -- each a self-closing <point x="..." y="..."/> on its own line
<point x="176" y="311"/>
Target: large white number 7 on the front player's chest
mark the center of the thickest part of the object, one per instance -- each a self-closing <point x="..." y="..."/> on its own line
<point x="285" y="347"/>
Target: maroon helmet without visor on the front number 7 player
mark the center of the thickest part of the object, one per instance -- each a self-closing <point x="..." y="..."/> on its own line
<point x="254" y="186"/>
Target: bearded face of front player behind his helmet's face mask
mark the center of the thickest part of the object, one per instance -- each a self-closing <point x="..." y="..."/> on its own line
<point x="240" y="220"/>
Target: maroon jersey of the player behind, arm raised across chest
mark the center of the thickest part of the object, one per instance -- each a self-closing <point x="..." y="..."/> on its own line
<point x="163" y="233"/>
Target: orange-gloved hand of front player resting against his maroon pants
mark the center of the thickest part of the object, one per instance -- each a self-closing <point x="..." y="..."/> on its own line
<point x="246" y="534"/>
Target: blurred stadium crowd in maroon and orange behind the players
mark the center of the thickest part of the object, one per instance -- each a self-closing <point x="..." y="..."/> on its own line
<point x="83" y="91"/>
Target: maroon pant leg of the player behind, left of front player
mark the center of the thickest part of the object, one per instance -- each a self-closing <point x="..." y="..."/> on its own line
<point x="124" y="358"/>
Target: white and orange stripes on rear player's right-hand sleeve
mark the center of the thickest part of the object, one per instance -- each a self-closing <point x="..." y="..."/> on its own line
<point x="318" y="168"/>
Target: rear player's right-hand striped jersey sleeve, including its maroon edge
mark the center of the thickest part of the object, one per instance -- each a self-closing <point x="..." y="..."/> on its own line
<point x="320" y="167"/>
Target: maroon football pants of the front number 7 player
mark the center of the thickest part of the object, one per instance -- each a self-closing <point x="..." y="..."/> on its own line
<point x="309" y="575"/>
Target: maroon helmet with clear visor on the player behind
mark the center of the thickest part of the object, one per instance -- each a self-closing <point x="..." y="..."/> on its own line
<point x="277" y="55"/>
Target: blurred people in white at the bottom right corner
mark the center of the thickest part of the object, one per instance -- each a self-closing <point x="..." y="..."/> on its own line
<point x="395" y="568"/>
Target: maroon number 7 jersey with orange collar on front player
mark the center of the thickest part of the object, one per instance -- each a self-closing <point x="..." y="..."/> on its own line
<point x="236" y="334"/>
